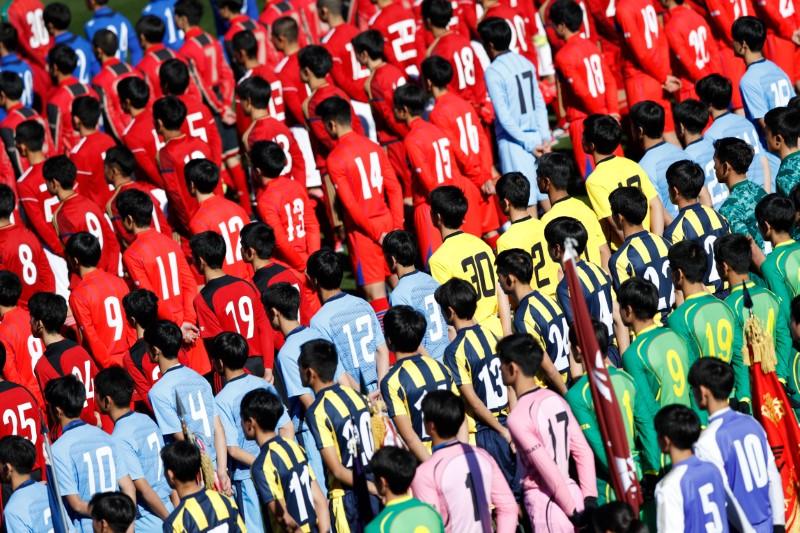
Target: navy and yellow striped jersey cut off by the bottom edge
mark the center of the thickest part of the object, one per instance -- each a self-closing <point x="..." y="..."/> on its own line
<point x="205" y="511"/>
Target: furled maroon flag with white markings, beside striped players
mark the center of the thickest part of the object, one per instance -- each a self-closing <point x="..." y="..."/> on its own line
<point x="609" y="417"/>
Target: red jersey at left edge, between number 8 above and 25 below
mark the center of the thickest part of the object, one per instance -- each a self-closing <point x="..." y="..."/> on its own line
<point x="23" y="350"/>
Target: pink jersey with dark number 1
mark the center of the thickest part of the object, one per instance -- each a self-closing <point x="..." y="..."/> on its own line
<point x="461" y="482"/>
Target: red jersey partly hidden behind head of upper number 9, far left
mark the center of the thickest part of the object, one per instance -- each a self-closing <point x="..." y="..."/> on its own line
<point x="39" y="206"/>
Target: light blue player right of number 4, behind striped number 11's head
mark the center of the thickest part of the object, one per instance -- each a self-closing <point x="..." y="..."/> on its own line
<point x="229" y="354"/>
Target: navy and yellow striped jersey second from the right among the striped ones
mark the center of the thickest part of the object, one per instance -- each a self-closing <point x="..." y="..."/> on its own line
<point x="644" y="255"/>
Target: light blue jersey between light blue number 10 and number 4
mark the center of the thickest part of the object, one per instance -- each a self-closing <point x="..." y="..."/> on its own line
<point x="139" y="442"/>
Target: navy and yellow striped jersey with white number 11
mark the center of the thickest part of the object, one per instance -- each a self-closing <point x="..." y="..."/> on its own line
<point x="281" y="472"/>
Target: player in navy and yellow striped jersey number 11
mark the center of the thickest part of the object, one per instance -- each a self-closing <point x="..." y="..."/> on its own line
<point x="281" y="461"/>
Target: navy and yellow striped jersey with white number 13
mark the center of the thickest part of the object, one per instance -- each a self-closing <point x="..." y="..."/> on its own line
<point x="472" y="360"/>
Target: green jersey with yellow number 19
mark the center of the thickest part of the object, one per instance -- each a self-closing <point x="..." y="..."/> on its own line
<point x="707" y="325"/>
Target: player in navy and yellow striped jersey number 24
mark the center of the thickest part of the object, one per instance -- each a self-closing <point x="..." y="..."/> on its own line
<point x="536" y="314"/>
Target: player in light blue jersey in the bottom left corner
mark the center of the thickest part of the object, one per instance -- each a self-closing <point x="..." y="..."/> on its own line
<point x="28" y="506"/>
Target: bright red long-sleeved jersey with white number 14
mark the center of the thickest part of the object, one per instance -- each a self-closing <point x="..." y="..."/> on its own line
<point x="366" y="185"/>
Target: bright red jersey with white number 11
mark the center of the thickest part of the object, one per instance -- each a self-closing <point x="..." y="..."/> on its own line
<point x="156" y="262"/>
